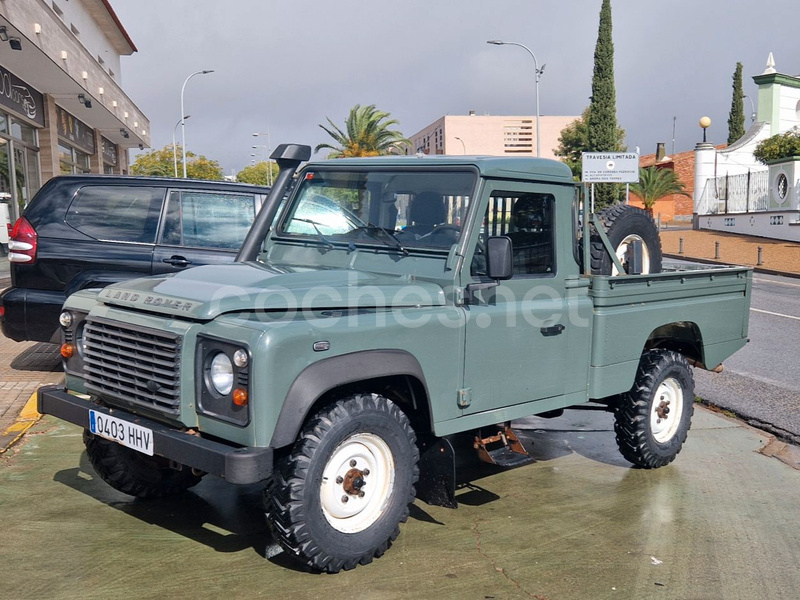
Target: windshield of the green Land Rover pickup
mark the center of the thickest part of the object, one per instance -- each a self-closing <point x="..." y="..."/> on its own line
<point x="398" y="208"/>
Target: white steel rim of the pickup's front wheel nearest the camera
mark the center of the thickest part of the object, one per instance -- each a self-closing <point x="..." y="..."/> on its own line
<point x="348" y="504"/>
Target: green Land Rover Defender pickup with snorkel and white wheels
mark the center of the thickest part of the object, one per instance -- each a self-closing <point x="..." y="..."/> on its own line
<point x="384" y="304"/>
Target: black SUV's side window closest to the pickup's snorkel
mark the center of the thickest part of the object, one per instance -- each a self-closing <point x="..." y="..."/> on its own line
<point x="207" y="219"/>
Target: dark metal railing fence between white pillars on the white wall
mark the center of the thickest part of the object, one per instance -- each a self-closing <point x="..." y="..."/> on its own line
<point x="748" y="192"/>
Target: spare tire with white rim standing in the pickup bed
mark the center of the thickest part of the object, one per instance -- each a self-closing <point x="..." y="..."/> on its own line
<point x="624" y="225"/>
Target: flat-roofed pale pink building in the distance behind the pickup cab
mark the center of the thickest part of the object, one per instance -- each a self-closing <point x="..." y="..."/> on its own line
<point x="490" y="135"/>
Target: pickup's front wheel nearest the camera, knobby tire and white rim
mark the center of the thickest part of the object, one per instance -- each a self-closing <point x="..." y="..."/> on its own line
<point x="304" y="498"/>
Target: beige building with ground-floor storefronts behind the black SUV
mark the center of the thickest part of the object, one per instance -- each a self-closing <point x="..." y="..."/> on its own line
<point x="62" y="105"/>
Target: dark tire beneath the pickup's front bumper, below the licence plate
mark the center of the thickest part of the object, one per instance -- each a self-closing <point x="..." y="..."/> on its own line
<point x="134" y="473"/>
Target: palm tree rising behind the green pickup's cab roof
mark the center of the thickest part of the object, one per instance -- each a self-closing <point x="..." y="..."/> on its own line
<point x="367" y="134"/>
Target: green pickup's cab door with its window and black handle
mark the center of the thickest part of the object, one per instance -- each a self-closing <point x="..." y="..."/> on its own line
<point x="517" y="334"/>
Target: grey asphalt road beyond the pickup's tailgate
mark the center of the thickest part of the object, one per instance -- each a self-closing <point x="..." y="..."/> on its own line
<point x="760" y="382"/>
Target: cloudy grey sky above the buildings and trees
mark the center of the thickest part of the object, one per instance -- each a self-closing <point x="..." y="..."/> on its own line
<point x="287" y="66"/>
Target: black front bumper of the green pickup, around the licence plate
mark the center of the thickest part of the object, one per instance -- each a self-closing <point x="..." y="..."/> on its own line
<point x="234" y="464"/>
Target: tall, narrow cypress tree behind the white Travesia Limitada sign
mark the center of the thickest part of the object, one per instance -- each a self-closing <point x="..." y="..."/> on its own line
<point x="603" y="131"/>
